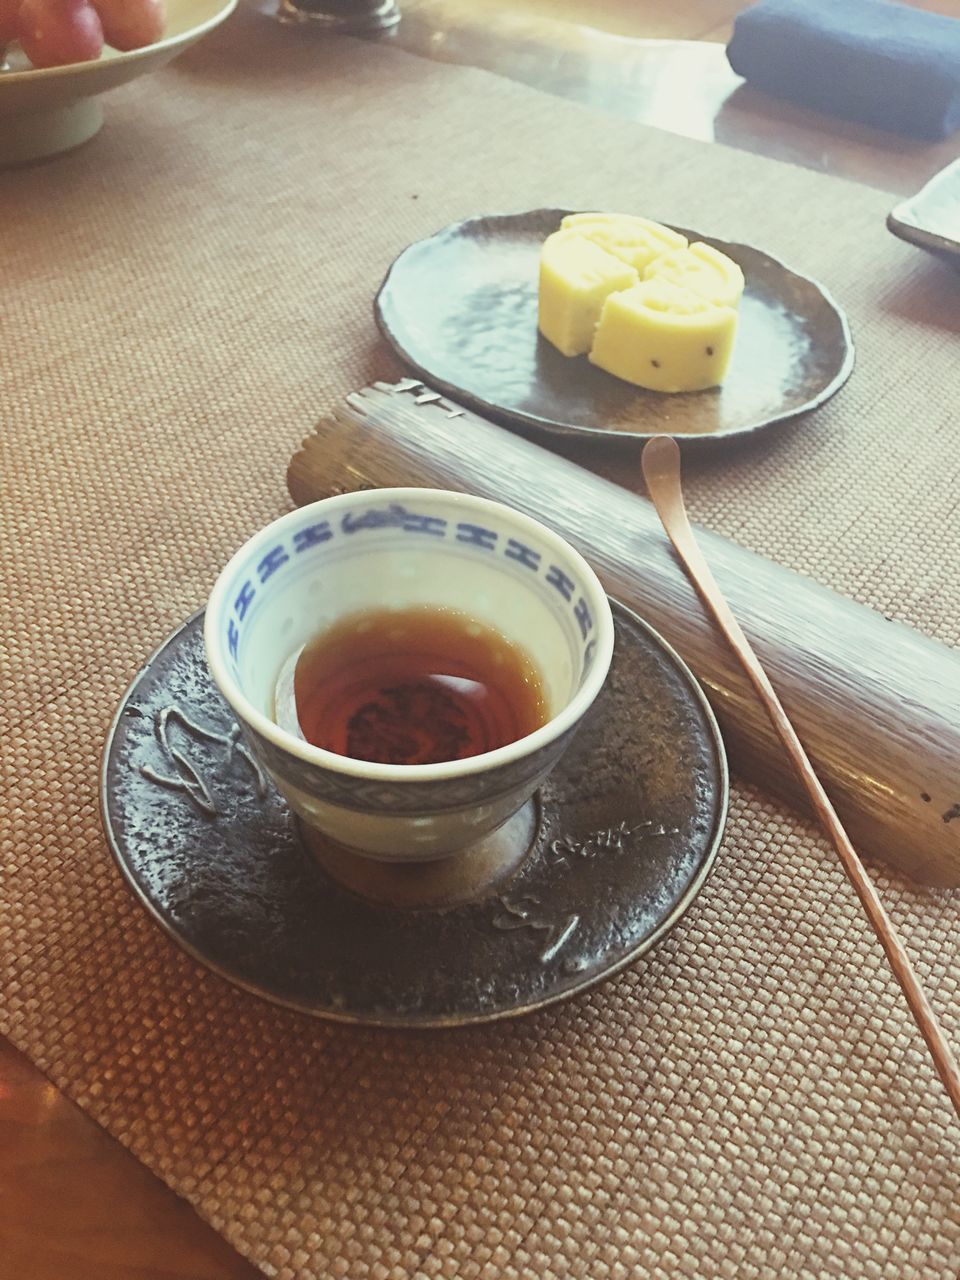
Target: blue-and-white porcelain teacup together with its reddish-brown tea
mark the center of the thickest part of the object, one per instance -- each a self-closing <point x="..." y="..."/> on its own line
<point x="408" y="665"/>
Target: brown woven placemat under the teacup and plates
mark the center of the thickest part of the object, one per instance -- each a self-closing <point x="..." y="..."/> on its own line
<point x="181" y="301"/>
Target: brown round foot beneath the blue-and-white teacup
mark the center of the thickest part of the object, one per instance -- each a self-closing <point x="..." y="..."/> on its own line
<point x="464" y="877"/>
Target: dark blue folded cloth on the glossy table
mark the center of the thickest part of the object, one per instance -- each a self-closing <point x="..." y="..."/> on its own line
<point x="868" y="61"/>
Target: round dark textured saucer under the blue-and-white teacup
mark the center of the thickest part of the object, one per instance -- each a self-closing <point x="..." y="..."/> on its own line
<point x="621" y="842"/>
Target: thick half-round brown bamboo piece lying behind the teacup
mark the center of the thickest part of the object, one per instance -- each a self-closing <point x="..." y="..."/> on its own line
<point x="845" y="673"/>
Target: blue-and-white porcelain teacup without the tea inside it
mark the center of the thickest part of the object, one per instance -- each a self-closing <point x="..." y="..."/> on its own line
<point x="400" y="548"/>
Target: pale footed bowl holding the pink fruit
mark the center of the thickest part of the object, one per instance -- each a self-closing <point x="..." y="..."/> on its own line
<point x="45" y="112"/>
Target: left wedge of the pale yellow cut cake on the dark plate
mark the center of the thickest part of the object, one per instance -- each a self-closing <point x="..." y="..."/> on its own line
<point x="577" y="277"/>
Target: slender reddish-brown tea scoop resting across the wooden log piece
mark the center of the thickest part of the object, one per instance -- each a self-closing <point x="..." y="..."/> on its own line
<point x="661" y="468"/>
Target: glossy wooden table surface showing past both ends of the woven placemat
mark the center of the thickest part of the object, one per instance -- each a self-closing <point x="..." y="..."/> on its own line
<point x="74" y="1204"/>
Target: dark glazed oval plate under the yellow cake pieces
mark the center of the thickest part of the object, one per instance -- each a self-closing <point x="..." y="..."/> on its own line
<point x="461" y="310"/>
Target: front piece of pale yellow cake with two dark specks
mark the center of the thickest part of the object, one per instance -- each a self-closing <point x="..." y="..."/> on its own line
<point x="665" y="339"/>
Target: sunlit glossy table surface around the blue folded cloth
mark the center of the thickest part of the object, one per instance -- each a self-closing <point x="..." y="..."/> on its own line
<point x="664" y="65"/>
